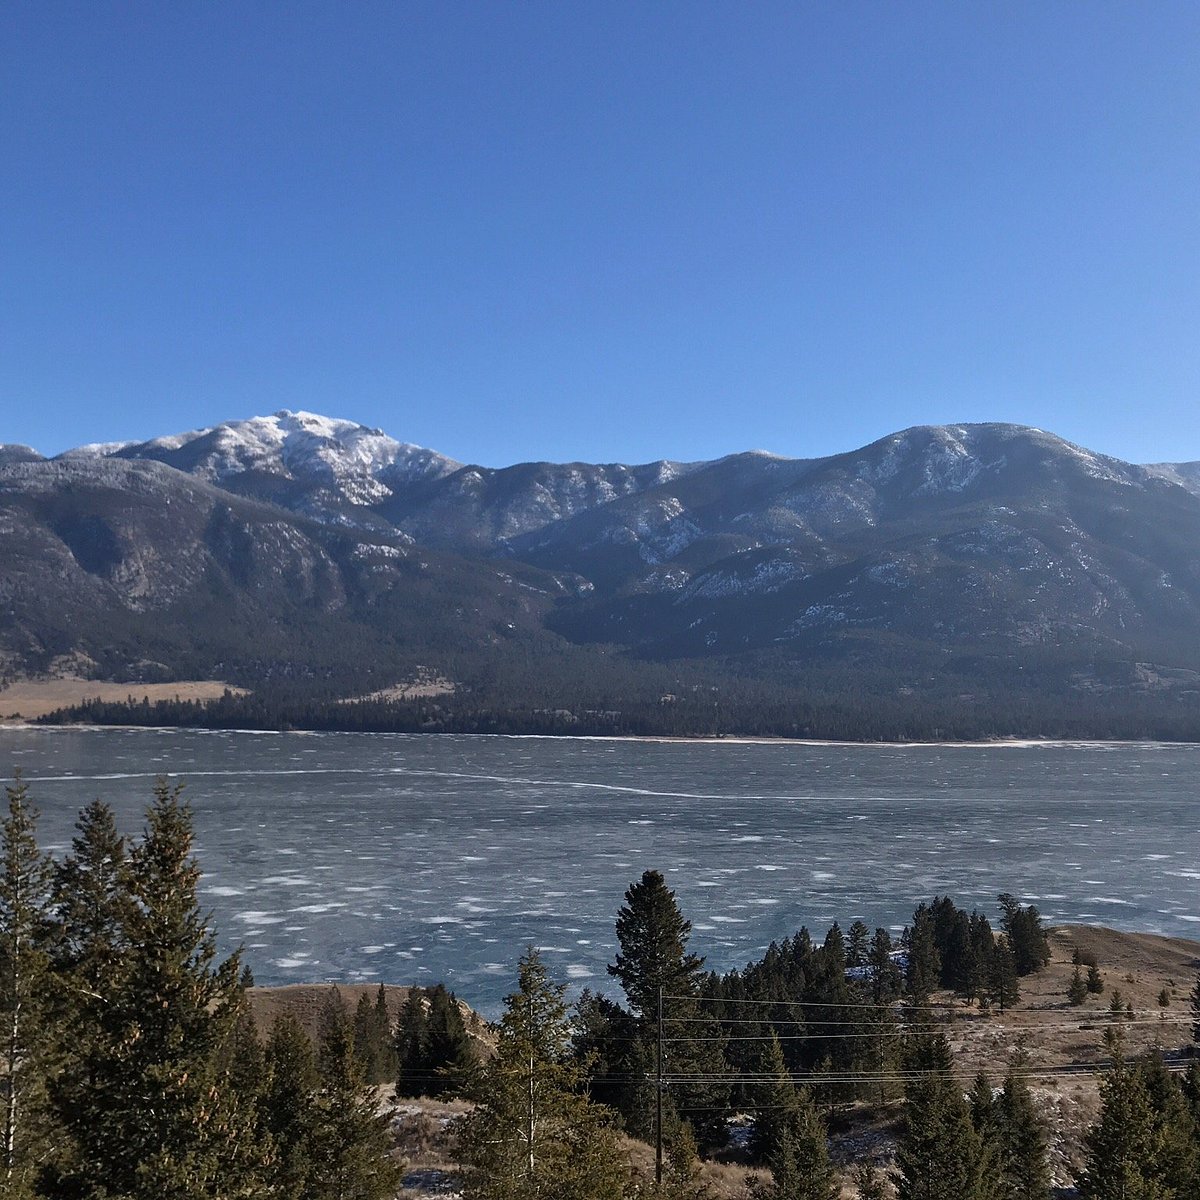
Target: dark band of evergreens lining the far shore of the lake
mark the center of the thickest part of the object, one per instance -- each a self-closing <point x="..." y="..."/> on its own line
<point x="850" y="715"/>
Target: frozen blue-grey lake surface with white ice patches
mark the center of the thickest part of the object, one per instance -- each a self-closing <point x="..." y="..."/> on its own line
<point x="415" y="859"/>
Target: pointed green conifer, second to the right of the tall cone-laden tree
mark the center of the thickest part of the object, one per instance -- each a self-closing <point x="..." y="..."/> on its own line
<point x="350" y="1148"/>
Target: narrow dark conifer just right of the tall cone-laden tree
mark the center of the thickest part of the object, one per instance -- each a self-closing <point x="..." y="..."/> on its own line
<point x="290" y="1107"/>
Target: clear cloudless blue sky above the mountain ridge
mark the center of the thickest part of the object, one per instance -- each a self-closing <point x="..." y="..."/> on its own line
<point x="603" y="231"/>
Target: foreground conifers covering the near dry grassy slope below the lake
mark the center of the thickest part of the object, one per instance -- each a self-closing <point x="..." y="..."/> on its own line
<point x="135" y="1066"/>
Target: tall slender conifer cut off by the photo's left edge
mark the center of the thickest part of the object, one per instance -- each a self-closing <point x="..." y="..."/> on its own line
<point x="25" y="983"/>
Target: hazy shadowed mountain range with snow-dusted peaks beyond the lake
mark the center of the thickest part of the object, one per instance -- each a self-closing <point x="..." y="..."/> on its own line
<point x="296" y="542"/>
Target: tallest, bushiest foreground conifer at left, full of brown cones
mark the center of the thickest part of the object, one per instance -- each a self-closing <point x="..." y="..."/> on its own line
<point x="154" y="1113"/>
